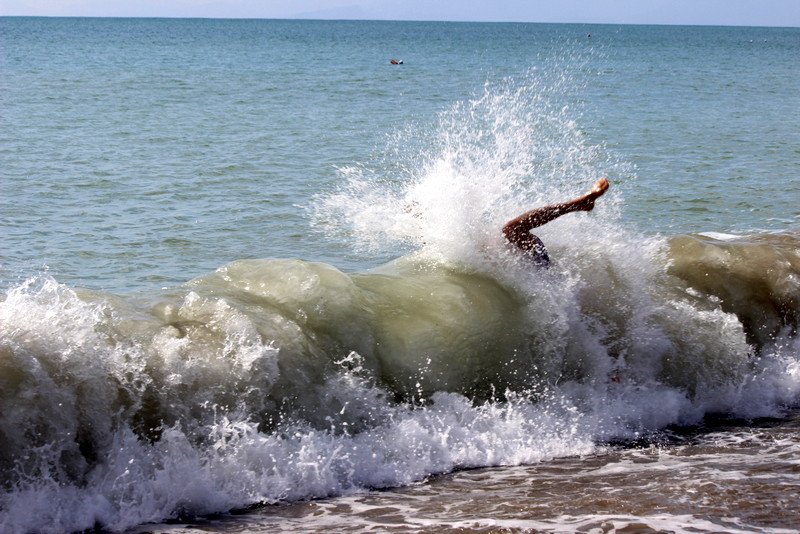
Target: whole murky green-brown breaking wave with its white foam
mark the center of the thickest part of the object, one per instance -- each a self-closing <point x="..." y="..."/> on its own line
<point x="225" y="391"/>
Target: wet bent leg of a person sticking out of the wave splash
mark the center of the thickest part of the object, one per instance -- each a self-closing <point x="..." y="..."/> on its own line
<point x="518" y="230"/>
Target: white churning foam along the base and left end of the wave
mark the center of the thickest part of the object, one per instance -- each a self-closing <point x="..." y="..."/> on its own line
<point x="221" y="460"/>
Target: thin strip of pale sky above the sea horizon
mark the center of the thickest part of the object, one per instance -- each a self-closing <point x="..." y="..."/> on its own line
<point x="705" y="12"/>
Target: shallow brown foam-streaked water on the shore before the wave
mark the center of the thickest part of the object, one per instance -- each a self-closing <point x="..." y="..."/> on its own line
<point x="727" y="476"/>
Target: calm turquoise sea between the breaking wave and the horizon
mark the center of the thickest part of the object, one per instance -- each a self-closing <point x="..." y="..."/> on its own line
<point x="138" y="153"/>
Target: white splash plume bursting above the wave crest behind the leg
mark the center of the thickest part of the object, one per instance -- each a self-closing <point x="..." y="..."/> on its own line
<point x="487" y="160"/>
